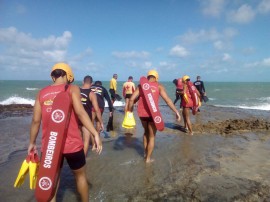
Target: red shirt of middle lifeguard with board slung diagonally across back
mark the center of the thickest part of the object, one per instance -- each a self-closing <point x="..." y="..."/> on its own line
<point x="142" y="109"/>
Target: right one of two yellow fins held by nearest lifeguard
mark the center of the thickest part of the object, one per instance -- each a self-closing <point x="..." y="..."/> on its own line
<point x="33" y="170"/>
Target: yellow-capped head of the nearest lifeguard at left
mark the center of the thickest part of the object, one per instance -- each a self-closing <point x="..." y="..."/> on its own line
<point x="62" y="70"/>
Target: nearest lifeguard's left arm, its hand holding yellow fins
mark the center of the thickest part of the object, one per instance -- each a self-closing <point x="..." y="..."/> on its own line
<point x="35" y="125"/>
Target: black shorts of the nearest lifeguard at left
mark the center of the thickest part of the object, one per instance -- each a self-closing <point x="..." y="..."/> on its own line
<point x="75" y="160"/>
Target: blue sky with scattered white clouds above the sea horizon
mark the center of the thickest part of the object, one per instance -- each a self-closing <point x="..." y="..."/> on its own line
<point x="220" y="40"/>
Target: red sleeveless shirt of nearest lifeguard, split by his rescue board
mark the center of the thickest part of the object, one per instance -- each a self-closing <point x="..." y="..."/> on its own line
<point x="74" y="141"/>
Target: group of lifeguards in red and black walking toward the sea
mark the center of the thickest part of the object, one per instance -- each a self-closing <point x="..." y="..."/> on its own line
<point x="86" y="116"/>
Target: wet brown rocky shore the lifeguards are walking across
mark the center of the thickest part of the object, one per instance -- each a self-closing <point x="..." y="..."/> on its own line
<point x="227" y="159"/>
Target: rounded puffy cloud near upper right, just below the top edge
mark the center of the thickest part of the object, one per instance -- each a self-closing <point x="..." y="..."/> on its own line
<point x="242" y="15"/>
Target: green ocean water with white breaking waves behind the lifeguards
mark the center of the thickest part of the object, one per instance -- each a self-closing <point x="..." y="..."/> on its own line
<point x="246" y="95"/>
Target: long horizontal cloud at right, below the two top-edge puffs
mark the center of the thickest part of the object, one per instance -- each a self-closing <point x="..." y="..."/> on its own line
<point x="201" y="36"/>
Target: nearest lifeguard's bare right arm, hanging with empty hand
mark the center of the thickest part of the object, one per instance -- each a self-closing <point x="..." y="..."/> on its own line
<point x="83" y="116"/>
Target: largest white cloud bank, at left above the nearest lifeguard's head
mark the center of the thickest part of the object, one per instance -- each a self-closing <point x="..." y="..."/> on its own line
<point x="19" y="49"/>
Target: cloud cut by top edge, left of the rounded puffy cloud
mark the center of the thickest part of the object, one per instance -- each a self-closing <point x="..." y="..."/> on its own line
<point x="213" y="8"/>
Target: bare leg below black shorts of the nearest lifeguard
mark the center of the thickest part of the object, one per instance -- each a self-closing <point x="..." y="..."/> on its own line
<point x="82" y="185"/>
